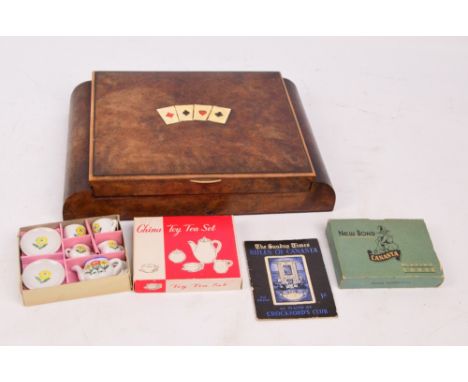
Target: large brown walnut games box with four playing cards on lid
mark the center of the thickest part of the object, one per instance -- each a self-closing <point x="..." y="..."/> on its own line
<point x="193" y="143"/>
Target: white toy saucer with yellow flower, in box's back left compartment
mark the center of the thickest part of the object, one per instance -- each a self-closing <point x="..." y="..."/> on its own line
<point x="40" y="241"/>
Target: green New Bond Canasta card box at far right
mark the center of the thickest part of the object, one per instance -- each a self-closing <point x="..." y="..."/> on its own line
<point x="383" y="254"/>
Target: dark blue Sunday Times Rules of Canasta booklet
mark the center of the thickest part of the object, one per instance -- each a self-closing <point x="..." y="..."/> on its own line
<point x="289" y="279"/>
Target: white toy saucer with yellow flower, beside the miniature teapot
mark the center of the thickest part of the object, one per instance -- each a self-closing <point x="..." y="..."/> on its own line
<point x="43" y="273"/>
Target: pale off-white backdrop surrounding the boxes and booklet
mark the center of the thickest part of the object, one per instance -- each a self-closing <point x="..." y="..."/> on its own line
<point x="390" y="117"/>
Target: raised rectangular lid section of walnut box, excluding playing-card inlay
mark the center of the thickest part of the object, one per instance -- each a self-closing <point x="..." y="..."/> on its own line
<point x="133" y="151"/>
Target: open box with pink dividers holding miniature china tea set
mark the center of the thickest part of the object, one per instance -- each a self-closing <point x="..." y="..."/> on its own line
<point x="72" y="259"/>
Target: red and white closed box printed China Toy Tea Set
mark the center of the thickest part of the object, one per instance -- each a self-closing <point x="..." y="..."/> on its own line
<point x="184" y="253"/>
